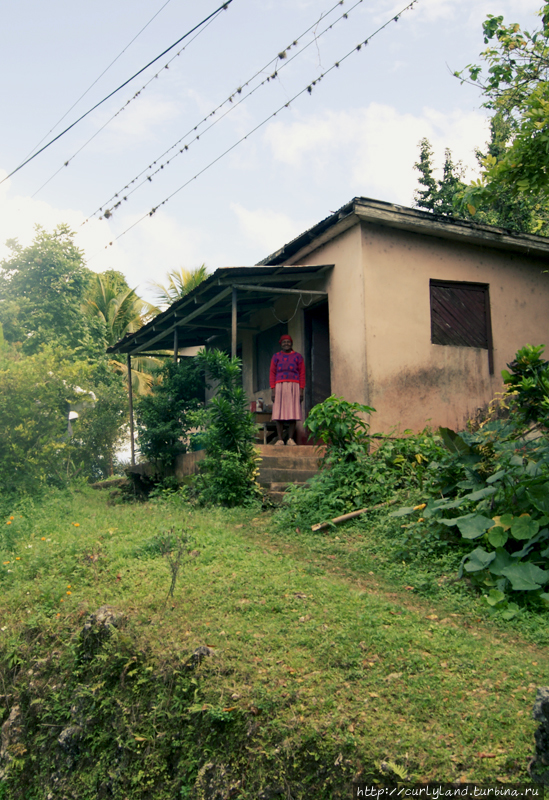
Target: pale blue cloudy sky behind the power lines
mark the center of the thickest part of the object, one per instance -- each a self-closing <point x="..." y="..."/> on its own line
<point x="355" y="134"/>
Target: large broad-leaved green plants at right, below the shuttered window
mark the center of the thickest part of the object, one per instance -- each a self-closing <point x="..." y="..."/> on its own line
<point x="493" y="488"/>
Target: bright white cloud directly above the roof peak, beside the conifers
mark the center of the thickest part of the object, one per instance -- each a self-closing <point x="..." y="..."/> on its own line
<point x="375" y="147"/>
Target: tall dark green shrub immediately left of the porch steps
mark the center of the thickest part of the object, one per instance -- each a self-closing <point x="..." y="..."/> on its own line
<point x="228" y="473"/>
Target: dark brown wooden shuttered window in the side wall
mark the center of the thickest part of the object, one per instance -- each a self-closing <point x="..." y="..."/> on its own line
<point x="460" y="316"/>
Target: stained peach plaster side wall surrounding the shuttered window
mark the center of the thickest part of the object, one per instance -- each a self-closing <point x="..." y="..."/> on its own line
<point x="411" y="381"/>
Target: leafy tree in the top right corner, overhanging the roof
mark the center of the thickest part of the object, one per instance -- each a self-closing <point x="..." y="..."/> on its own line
<point x="516" y="88"/>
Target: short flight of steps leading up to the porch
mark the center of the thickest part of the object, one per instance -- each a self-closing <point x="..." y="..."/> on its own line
<point x="281" y="466"/>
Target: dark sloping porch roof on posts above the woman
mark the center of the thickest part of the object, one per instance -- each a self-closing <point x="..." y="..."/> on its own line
<point x="207" y="311"/>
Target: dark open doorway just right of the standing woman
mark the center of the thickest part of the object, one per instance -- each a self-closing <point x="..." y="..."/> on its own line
<point x="317" y="354"/>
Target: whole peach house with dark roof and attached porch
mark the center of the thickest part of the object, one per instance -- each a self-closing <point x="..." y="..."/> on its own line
<point x="408" y="312"/>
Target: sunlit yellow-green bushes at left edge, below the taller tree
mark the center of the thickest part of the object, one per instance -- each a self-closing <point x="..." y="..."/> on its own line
<point x="38" y="446"/>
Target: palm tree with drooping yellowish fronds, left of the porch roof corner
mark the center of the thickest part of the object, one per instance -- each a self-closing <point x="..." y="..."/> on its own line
<point x="121" y="311"/>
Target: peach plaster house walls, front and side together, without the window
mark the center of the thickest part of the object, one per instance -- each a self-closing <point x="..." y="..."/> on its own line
<point x="380" y="328"/>
